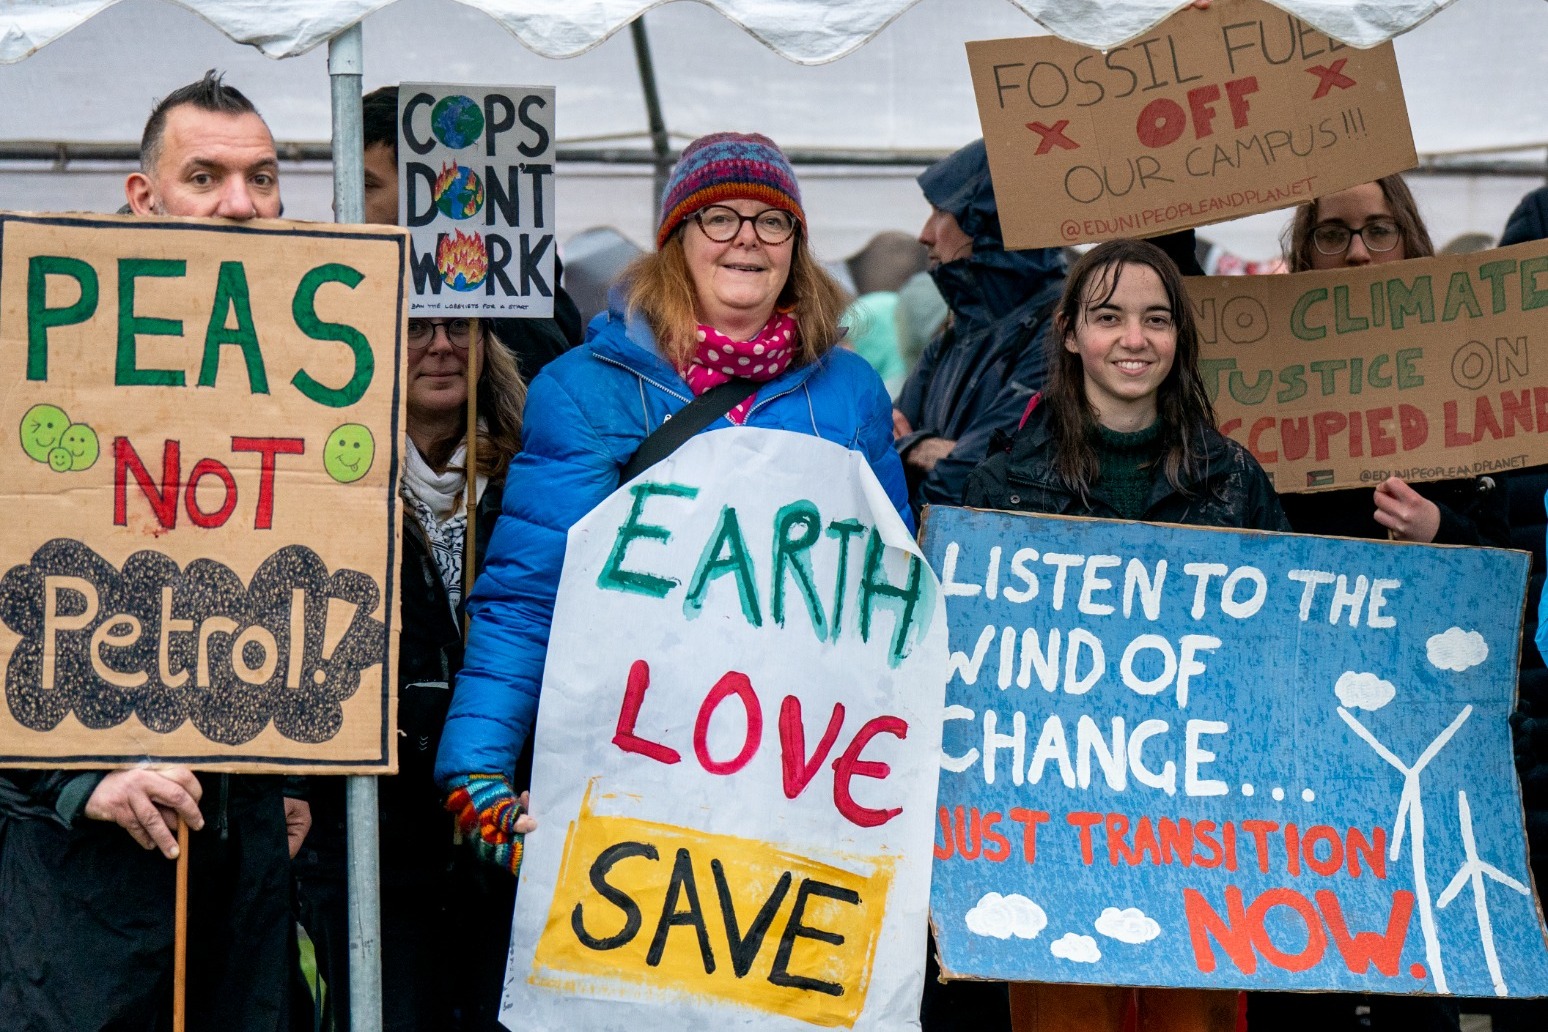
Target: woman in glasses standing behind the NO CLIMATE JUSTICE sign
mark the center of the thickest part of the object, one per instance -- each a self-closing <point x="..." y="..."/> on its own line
<point x="1377" y="224"/>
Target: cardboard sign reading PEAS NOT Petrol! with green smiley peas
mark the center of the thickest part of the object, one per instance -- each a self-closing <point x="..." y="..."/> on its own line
<point x="202" y="463"/>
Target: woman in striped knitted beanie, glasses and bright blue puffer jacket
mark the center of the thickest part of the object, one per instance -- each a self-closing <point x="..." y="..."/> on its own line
<point x="731" y="295"/>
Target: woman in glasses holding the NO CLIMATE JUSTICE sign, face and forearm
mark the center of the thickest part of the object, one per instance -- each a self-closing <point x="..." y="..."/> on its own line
<point x="1375" y="224"/>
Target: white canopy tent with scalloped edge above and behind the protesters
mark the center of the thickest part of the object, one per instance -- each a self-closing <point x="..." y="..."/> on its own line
<point x="1471" y="73"/>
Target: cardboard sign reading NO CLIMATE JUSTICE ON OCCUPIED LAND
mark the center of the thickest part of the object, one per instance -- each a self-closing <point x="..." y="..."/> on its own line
<point x="1419" y="369"/>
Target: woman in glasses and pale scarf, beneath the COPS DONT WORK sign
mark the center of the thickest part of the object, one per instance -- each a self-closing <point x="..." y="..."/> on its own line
<point x="431" y="898"/>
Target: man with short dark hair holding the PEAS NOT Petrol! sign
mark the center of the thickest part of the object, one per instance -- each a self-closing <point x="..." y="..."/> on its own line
<point x="89" y="911"/>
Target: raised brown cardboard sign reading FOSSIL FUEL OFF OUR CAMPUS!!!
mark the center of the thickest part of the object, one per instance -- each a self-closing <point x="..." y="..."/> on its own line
<point x="1213" y="115"/>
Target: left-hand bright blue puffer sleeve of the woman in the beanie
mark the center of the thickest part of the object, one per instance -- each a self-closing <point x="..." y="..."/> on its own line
<point x="563" y="473"/>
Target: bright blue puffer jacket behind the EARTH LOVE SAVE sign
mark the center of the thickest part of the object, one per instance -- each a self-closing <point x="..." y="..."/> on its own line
<point x="587" y="414"/>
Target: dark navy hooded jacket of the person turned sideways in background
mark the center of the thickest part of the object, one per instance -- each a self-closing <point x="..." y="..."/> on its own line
<point x="979" y="375"/>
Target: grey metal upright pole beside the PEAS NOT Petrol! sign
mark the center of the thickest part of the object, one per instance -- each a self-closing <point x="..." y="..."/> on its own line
<point x="365" y="847"/>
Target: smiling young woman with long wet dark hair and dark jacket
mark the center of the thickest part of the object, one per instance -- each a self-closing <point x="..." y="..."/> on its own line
<point x="1126" y="431"/>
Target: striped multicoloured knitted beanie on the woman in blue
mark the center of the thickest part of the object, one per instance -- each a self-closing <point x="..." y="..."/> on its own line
<point x="724" y="168"/>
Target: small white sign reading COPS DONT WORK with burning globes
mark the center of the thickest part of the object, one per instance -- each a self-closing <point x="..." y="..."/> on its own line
<point x="476" y="190"/>
